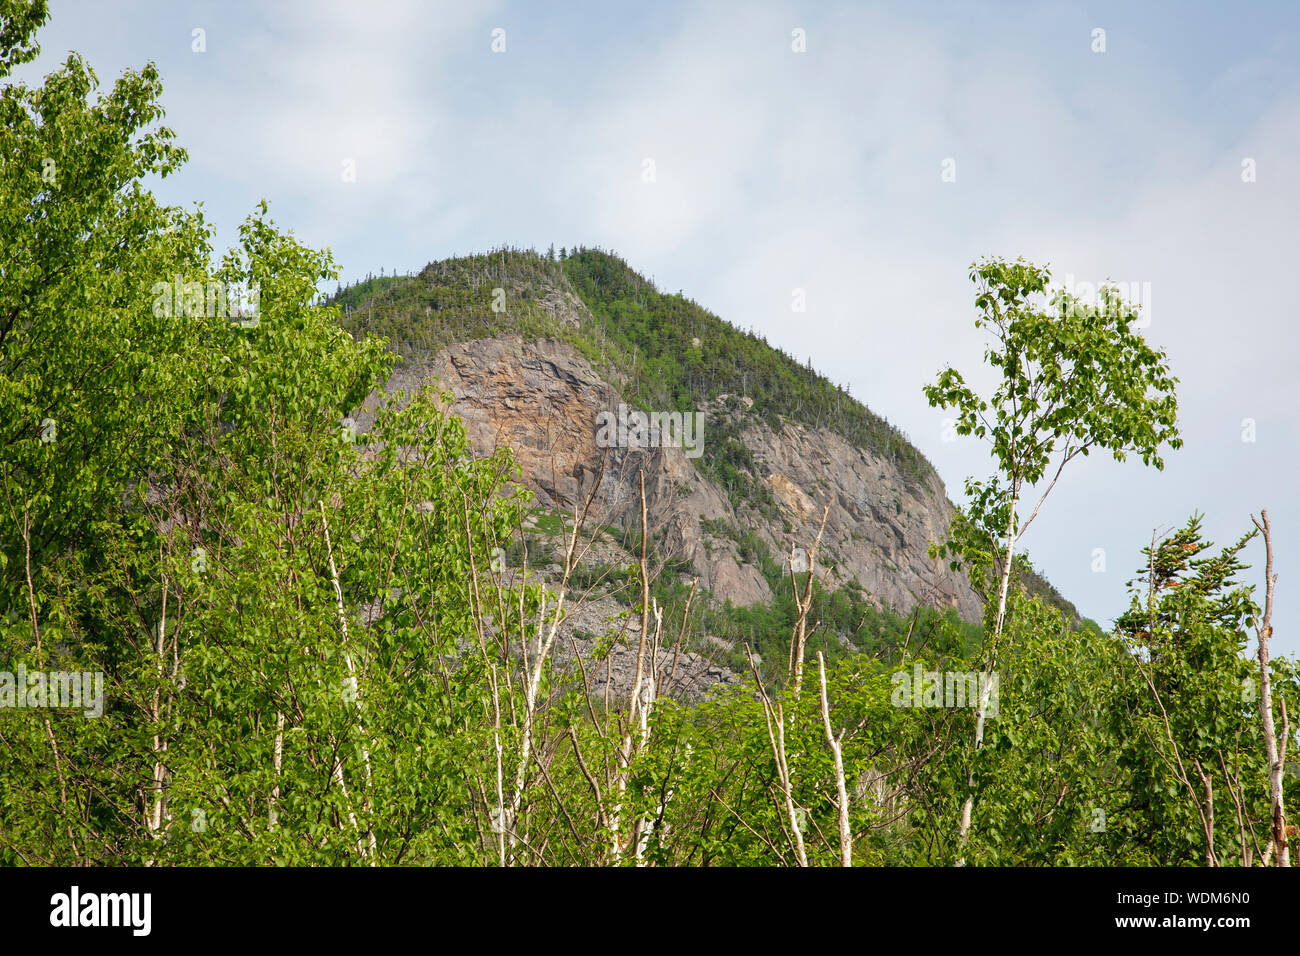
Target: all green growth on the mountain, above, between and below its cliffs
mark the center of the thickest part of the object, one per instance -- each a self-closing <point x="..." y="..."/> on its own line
<point x="670" y="353"/>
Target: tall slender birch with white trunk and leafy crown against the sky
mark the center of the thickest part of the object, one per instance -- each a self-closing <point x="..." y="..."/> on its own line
<point x="1072" y="378"/>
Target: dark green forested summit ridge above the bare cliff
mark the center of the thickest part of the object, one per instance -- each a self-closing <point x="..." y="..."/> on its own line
<point x="673" y="353"/>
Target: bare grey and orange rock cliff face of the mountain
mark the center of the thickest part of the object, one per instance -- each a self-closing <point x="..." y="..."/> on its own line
<point x="543" y="400"/>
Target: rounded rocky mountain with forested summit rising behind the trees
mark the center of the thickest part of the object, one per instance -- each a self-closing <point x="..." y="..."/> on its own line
<point x="554" y="357"/>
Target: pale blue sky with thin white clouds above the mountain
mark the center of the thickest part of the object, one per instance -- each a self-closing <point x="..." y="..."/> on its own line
<point x="864" y="154"/>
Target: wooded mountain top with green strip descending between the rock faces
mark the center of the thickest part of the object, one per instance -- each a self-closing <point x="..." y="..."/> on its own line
<point x="662" y="352"/>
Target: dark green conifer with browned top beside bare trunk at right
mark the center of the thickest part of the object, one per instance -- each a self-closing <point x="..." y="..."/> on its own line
<point x="1188" y="734"/>
